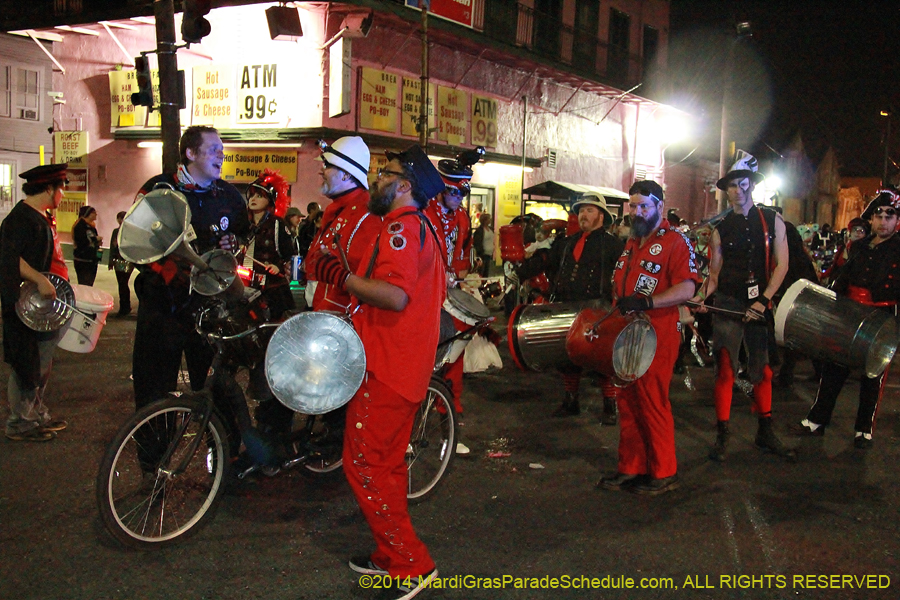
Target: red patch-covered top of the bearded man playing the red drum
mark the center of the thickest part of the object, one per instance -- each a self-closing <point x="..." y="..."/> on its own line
<point x="664" y="261"/>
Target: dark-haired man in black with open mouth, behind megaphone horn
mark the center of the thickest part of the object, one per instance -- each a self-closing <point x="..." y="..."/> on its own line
<point x="165" y="319"/>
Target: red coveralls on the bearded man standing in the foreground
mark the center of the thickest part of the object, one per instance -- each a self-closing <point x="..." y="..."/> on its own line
<point x="400" y="349"/>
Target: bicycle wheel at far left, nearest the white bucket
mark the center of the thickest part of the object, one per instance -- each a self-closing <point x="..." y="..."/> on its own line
<point x="154" y="485"/>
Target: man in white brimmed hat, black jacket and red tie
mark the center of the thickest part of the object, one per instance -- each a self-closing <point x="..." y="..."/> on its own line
<point x="580" y="268"/>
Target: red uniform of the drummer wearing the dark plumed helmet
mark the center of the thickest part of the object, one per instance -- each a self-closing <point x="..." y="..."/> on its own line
<point x="454" y="231"/>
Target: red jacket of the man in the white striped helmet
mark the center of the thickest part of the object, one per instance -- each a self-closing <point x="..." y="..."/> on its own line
<point x="348" y="216"/>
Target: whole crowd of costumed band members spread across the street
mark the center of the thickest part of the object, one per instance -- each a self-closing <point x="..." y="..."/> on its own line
<point x="386" y="254"/>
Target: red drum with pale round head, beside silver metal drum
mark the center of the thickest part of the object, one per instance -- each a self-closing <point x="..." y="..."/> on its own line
<point x="622" y="347"/>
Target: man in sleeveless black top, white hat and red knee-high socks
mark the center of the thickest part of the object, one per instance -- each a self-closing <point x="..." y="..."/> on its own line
<point x="748" y="262"/>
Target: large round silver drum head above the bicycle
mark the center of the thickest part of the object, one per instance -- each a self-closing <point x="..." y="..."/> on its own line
<point x="315" y="362"/>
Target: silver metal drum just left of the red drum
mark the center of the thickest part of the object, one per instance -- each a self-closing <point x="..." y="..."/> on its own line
<point x="536" y="333"/>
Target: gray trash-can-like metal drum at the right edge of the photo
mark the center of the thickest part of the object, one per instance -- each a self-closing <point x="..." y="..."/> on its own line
<point x="823" y="325"/>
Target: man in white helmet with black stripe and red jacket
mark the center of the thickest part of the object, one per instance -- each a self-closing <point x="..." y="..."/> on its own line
<point x="346" y="222"/>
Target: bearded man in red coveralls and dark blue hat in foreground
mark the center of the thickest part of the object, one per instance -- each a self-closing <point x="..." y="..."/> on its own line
<point x="398" y="291"/>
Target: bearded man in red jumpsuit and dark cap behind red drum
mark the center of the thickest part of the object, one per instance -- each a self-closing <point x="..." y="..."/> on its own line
<point x="656" y="273"/>
